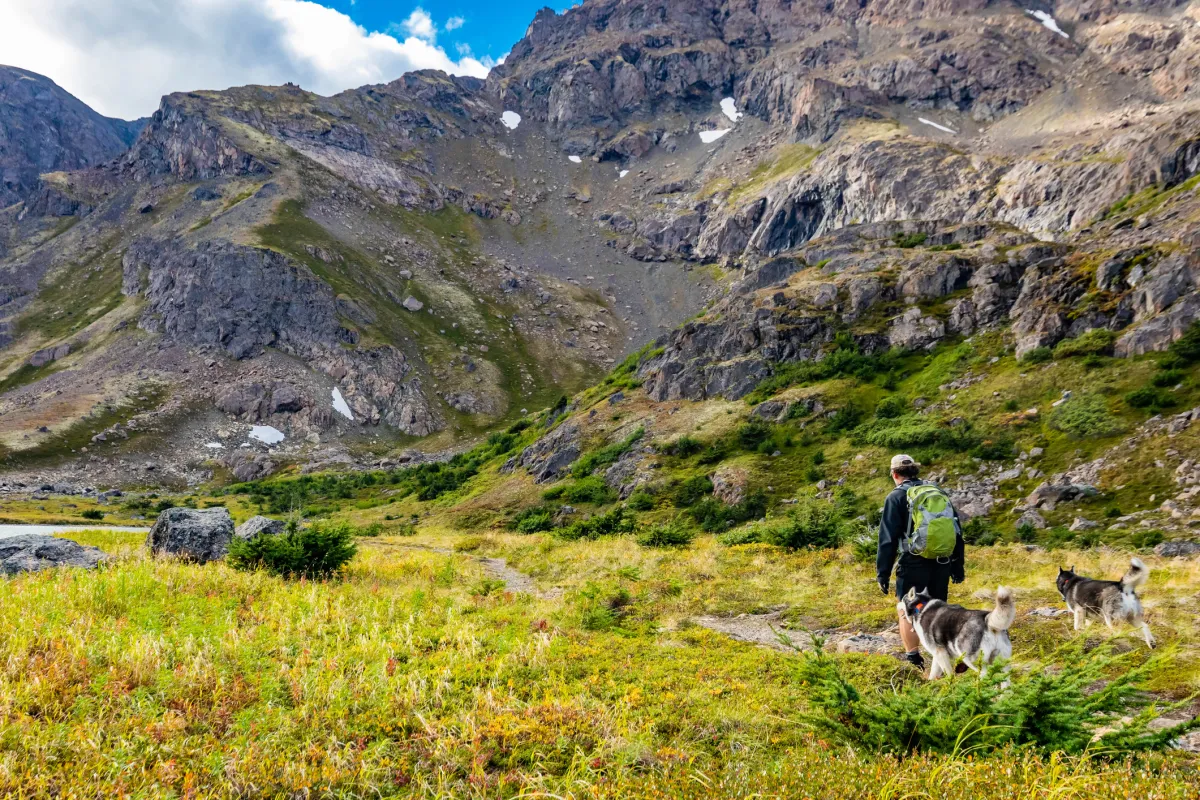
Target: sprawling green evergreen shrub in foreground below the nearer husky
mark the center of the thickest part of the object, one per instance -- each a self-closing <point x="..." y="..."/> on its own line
<point x="1048" y="711"/>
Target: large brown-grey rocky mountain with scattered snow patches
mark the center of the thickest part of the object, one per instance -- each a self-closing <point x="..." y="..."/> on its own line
<point x="415" y="263"/>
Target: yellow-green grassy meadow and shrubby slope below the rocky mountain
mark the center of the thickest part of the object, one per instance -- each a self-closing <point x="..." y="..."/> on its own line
<point x="413" y="670"/>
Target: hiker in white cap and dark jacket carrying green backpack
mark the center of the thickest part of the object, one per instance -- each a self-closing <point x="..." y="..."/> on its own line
<point x="920" y="521"/>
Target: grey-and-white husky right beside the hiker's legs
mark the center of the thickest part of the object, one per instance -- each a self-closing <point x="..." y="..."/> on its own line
<point x="950" y="633"/>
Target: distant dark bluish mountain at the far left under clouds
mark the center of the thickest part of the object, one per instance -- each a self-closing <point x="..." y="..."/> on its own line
<point x="45" y="130"/>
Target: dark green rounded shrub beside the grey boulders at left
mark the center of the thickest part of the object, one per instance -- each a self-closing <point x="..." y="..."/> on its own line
<point x="316" y="552"/>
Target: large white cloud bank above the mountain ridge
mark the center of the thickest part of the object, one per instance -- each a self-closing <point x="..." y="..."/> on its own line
<point x="122" y="56"/>
